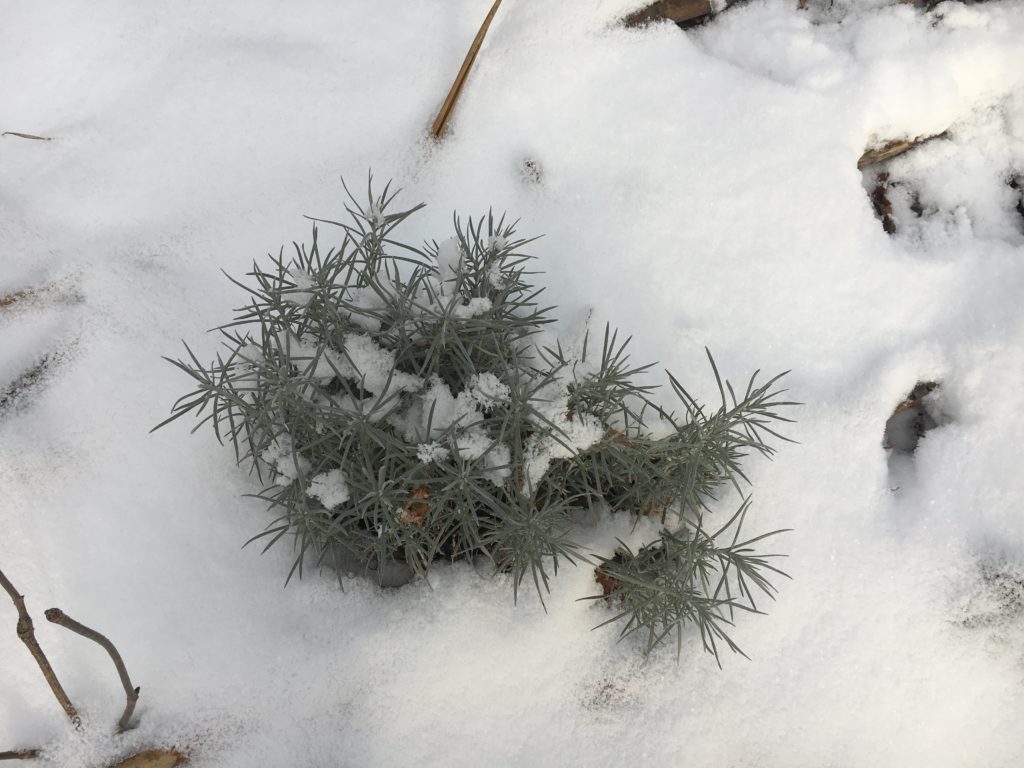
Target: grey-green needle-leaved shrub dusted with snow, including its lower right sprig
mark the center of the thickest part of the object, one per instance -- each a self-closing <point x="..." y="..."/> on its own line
<point x="399" y="407"/>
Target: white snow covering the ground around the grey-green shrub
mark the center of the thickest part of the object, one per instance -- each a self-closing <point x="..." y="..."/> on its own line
<point x="697" y="189"/>
